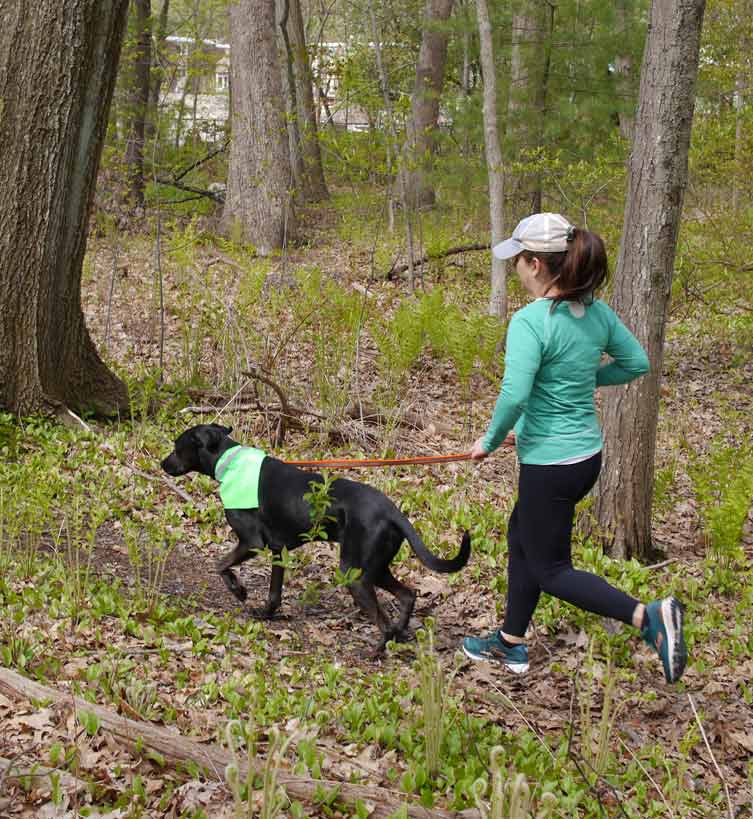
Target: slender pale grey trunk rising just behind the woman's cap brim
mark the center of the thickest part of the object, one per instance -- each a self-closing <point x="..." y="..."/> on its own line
<point x="498" y="299"/>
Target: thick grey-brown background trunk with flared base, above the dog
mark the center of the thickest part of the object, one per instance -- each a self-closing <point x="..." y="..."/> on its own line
<point x="258" y="206"/>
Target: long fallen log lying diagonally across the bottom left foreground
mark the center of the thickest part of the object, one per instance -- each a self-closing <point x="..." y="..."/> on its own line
<point x="213" y="759"/>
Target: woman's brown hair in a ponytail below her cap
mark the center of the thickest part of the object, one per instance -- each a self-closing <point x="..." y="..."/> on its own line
<point x="578" y="271"/>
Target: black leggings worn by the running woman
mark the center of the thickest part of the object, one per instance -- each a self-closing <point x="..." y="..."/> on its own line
<point x="538" y="537"/>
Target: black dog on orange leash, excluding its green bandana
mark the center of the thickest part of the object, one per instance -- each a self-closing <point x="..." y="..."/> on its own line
<point x="367" y="525"/>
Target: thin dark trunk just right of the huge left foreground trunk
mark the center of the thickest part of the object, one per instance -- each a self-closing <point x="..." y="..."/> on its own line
<point x="138" y="100"/>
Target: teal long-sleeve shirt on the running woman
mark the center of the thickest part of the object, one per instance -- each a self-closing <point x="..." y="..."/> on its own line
<point x="553" y="364"/>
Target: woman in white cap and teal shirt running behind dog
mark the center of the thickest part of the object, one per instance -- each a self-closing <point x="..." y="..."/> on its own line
<point x="553" y="364"/>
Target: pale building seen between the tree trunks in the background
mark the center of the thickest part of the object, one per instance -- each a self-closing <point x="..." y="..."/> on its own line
<point x="196" y="88"/>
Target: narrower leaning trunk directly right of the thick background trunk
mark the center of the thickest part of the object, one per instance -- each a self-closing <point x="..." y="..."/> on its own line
<point x="315" y="186"/>
